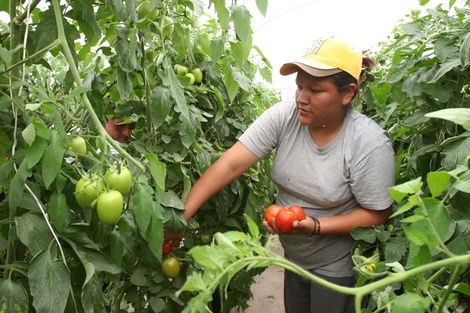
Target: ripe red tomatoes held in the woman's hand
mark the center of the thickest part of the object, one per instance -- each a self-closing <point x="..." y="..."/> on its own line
<point x="282" y="218"/>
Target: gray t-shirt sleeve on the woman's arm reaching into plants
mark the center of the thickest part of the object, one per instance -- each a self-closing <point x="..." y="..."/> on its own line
<point x="263" y="135"/>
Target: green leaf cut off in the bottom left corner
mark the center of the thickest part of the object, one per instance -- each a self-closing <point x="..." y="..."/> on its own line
<point x="13" y="297"/>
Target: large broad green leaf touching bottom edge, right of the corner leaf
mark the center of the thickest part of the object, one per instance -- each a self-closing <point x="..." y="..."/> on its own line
<point x="49" y="283"/>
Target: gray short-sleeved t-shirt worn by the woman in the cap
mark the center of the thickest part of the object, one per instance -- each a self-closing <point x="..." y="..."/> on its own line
<point x="355" y="169"/>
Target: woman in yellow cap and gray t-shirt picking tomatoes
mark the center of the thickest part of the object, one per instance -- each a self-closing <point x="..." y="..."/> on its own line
<point x="332" y="160"/>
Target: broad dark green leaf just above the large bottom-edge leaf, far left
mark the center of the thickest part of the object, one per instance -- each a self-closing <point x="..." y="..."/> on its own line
<point x="33" y="232"/>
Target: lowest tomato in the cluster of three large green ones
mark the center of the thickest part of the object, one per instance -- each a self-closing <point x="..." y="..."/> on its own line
<point x="109" y="206"/>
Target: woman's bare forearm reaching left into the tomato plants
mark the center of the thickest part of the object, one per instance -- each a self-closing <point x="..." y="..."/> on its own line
<point x="231" y="165"/>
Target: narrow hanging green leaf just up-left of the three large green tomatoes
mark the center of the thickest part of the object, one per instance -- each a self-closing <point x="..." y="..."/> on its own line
<point x="53" y="156"/>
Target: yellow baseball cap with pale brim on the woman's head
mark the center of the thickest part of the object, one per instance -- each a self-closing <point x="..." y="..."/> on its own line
<point x="327" y="56"/>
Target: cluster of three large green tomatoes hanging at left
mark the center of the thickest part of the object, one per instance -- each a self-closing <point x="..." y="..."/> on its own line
<point x="105" y="193"/>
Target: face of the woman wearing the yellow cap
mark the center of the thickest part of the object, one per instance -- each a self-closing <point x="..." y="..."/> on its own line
<point x="319" y="102"/>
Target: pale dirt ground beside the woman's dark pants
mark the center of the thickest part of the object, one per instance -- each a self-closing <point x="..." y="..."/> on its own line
<point x="267" y="290"/>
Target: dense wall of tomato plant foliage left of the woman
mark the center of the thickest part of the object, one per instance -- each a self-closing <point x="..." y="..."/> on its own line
<point x="67" y="67"/>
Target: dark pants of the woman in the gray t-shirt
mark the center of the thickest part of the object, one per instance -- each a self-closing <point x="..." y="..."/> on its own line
<point x="302" y="295"/>
